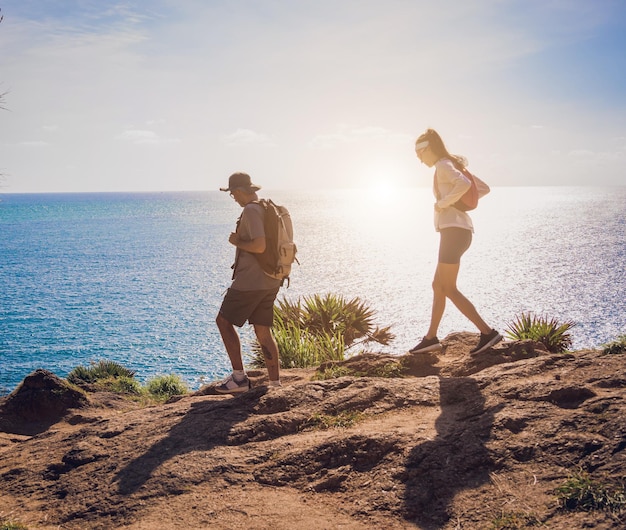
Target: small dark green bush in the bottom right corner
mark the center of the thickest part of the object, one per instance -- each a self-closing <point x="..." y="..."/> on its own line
<point x="581" y="492"/>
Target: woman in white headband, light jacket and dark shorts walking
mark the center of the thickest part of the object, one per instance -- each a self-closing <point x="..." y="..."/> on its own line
<point x="455" y="229"/>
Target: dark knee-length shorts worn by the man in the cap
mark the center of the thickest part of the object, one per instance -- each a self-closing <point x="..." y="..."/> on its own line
<point x="257" y="307"/>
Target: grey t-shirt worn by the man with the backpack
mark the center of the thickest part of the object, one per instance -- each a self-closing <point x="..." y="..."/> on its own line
<point x="249" y="275"/>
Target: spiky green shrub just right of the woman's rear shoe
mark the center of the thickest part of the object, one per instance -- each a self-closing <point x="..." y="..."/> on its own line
<point x="553" y="334"/>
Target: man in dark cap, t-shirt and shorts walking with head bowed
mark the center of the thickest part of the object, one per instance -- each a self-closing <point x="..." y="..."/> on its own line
<point x="251" y="295"/>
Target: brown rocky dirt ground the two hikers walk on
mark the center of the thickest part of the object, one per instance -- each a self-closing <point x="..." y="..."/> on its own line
<point x="455" y="442"/>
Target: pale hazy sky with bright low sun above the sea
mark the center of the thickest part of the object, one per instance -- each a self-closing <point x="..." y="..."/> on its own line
<point x="138" y="95"/>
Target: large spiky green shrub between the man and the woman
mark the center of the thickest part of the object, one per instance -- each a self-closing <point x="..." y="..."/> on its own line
<point x="316" y="329"/>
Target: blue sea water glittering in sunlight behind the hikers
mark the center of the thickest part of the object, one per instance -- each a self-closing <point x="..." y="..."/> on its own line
<point x="138" y="278"/>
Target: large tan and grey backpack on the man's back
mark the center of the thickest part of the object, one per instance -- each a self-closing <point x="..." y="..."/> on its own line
<point x="280" y="249"/>
